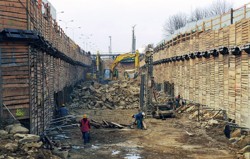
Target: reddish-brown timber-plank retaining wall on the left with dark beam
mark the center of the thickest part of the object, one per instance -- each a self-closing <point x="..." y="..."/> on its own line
<point x="35" y="64"/>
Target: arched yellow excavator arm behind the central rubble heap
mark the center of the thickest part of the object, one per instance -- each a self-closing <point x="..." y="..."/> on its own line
<point x="136" y="55"/>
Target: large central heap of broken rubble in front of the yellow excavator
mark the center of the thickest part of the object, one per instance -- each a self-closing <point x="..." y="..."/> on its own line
<point x="118" y="94"/>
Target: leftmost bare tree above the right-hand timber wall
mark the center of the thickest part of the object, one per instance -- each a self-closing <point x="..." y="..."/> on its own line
<point x="175" y="22"/>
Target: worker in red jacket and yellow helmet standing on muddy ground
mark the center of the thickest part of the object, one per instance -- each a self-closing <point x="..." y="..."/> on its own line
<point x="85" y="128"/>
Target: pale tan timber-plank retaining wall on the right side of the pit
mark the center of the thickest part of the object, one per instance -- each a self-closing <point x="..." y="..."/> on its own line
<point x="202" y="73"/>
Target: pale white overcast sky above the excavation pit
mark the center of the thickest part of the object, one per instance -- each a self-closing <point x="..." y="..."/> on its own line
<point x="104" y="18"/>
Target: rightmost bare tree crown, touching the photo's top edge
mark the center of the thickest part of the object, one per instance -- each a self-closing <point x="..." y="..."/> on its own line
<point x="219" y="7"/>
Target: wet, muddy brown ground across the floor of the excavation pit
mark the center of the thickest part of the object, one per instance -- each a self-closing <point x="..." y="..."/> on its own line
<point x="173" y="138"/>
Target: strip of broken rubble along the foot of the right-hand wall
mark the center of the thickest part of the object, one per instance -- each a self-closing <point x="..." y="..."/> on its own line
<point x="214" y="122"/>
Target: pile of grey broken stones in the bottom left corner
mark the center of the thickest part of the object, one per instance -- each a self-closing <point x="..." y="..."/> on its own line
<point x="17" y="143"/>
